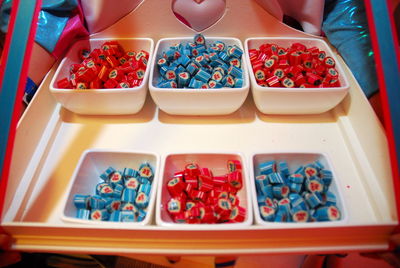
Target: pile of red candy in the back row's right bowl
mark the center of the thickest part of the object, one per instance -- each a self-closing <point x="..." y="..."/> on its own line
<point x="296" y="66"/>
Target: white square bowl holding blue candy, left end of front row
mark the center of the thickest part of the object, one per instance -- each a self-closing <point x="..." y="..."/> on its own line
<point x="87" y="175"/>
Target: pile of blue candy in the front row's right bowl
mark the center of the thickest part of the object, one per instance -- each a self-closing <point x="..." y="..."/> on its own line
<point x="302" y="196"/>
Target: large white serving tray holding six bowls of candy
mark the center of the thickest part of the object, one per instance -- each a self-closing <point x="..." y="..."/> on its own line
<point x="50" y="140"/>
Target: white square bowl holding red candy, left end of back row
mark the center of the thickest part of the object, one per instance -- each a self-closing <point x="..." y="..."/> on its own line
<point x="105" y="101"/>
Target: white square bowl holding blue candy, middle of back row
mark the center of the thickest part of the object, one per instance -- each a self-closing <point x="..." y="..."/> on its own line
<point x="185" y="101"/>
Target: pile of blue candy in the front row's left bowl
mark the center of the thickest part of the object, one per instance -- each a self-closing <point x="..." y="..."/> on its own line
<point x="123" y="196"/>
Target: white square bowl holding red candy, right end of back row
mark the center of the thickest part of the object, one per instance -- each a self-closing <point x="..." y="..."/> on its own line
<point x="280" y="100"/>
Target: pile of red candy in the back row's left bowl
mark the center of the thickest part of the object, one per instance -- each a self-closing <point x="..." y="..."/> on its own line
<point x="107" y="67"/>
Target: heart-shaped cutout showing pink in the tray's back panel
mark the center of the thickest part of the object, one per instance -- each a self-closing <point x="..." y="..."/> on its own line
<point x="198" y="14"/>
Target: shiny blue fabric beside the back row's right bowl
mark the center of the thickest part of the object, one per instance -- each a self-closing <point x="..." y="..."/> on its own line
<point x="346" y="27"/>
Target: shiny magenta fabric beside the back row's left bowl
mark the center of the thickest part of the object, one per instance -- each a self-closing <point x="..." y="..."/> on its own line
<point x="74" y="29"/>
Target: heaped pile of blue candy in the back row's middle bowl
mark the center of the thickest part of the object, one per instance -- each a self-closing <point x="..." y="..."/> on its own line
<point x="194" y="65"/>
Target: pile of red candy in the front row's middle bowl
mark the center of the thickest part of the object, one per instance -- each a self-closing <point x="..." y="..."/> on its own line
<point x="199" y="197"/>
